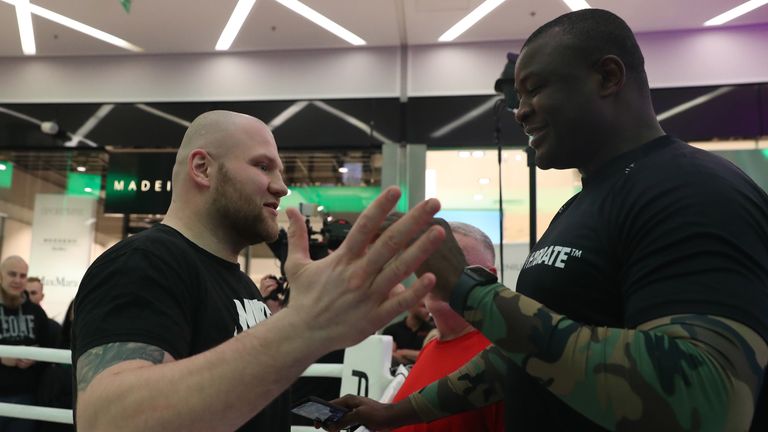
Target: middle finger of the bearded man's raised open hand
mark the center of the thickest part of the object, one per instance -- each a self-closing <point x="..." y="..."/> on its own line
<point x="399" y="234"/>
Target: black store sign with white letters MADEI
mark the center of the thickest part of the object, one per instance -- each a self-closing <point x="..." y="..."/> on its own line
<point x="139" y="183"/>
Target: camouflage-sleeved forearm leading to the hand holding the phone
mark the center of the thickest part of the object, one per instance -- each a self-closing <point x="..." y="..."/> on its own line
<point x="476" y="384"/>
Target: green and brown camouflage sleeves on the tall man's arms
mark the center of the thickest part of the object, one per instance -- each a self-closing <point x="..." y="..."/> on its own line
<point x="678" y="373"/>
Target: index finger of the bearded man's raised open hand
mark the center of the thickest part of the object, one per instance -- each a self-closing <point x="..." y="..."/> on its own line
<point x="367" y="225"/>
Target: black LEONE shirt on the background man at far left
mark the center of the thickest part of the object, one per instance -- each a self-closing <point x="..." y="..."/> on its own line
<point x="25" y="325"/>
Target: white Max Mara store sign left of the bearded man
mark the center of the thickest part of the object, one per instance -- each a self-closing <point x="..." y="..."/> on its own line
<point x="62" y="235"/>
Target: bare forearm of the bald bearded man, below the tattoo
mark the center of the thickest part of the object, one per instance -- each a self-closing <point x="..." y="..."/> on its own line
<point x="219" y="389"/>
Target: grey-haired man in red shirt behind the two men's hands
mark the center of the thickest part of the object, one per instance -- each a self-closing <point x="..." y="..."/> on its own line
<point x="455" y="343"/>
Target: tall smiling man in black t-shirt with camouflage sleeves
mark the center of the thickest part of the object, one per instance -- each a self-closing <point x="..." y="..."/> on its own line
<point x="644" y="305"/>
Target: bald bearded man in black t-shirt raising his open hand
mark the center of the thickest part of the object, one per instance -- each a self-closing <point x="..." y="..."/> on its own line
<point x="170" y="335"/>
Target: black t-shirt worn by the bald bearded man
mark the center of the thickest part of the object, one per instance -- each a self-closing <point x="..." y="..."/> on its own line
<point x="159" y="288"/>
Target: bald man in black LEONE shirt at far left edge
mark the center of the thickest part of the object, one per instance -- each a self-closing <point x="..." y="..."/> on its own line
<point x="21" y="323"/>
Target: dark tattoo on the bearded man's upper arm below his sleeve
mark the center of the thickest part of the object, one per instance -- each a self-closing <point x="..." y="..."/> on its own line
<point x="96" y="360"/>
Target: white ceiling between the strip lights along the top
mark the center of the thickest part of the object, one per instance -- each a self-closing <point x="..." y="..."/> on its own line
<point x="194" y="26"/>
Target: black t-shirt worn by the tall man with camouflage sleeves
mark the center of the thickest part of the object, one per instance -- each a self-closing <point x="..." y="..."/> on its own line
<point x="661" y="230"/>
